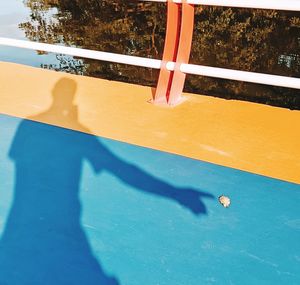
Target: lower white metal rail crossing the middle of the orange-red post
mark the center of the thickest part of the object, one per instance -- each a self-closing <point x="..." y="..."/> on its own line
<point x="216" y="72"/>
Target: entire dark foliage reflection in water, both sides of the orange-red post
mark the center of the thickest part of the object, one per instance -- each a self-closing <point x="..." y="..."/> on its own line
<point x="242" y="39"/>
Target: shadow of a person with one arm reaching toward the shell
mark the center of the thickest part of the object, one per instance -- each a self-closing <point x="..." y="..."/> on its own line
<point x="43" y="242"/>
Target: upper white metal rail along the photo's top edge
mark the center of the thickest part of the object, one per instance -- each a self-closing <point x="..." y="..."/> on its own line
<point x="290" y="5"/>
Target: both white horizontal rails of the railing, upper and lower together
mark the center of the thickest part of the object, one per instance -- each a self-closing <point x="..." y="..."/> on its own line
<point x="261" y="78"/>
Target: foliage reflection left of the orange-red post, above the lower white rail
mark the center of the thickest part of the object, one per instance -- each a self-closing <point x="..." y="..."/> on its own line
<point x="114" y="26"/>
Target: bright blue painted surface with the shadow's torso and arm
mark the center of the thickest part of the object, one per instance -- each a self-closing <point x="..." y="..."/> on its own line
<point x="81" y="209"/>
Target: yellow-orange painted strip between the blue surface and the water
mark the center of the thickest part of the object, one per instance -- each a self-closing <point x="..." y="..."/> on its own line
<point x="251" y="137"/>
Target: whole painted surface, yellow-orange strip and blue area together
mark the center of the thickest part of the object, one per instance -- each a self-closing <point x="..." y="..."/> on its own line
<point x="98" y="186"/>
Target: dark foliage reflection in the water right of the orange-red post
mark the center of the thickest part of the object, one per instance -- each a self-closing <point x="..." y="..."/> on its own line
<point x="248" y="40"/>
